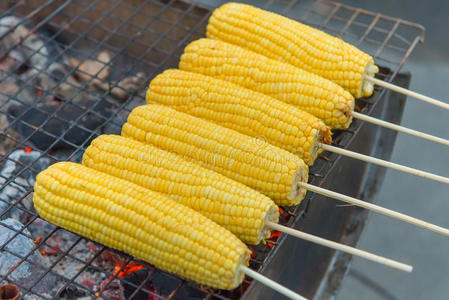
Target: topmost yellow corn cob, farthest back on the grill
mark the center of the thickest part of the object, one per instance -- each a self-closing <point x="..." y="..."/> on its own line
<point x="286" y="40"/>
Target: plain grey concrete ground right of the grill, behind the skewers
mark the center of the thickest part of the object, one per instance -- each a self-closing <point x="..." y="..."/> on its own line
<point x="428" y="252"/>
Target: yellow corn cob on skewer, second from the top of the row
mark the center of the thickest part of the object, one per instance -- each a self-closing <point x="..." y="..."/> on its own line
<point x="309" y="92"/>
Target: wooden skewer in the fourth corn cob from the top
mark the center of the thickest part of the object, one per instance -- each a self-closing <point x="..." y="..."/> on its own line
<point x="375" y="208"/>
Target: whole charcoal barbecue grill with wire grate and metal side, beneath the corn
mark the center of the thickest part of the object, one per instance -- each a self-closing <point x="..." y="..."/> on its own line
<point x="47" y="122"/>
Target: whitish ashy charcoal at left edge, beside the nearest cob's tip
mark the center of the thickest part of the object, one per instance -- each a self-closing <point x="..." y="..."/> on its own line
<point x="21" y="183"/>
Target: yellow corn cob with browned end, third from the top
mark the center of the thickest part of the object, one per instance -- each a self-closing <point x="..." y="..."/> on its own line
<point x="241" y="109"/>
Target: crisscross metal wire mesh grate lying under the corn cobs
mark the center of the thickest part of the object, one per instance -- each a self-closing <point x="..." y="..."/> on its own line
<point x="140" y="36"/>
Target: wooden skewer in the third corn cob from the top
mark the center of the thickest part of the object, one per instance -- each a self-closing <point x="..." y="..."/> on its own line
<point x="384" y="163"/>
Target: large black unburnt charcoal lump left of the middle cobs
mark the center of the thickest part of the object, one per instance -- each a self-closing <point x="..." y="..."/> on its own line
<point x="58" y="125"/>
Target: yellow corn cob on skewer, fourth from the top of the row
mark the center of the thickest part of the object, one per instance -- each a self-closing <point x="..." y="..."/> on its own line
<point x="251" y="161"/>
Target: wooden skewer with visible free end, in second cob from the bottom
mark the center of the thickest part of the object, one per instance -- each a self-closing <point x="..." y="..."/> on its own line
<point x="340" y="247"/>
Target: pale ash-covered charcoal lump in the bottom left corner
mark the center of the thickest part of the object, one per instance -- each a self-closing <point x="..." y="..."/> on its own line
<point x="25" y="273"/>
